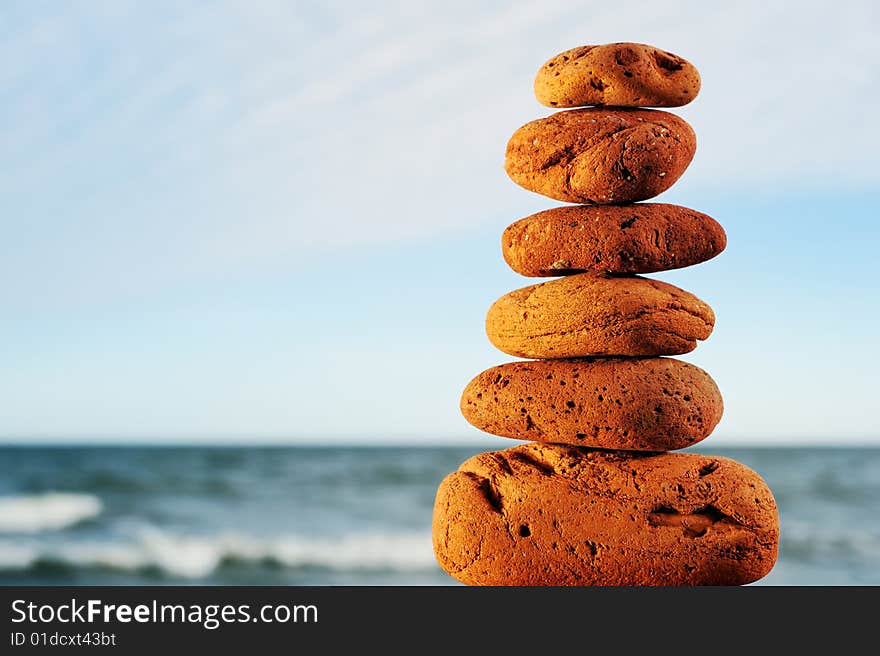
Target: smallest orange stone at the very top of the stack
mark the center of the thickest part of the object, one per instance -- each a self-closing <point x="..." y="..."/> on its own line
<point x="617" y="74"/>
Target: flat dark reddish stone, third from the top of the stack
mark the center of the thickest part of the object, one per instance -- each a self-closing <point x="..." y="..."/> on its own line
<point x="640" y="238"/>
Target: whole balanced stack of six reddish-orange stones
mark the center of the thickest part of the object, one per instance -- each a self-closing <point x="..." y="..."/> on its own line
<point x="594" y="498"/>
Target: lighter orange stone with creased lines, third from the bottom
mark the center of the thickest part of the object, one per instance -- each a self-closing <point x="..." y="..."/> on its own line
<point x="596" y="314"/>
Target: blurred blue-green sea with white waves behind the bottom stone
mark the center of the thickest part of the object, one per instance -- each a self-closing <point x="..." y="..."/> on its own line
<point x="341" y="516"/>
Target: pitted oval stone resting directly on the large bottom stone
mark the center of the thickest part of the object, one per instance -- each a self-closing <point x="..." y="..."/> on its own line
<point x="642" y="404"/>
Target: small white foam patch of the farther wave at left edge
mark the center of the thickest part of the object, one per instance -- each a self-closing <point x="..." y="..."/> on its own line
<point x="51" y="511"/>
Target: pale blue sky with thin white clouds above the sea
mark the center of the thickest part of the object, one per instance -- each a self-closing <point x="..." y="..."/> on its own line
<point x="280" y="221"/>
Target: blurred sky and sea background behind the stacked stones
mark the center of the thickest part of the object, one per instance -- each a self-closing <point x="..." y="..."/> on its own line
<point x="247" y="249"/>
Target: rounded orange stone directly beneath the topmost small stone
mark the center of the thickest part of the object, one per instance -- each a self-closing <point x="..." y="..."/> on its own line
<point x="600" y="156"/>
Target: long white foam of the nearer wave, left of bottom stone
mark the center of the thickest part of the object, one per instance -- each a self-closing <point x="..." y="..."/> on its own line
<point x="197" y="557"/>
